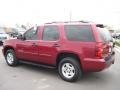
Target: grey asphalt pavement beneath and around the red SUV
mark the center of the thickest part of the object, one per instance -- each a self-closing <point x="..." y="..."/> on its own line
<point x="29" y="77"/>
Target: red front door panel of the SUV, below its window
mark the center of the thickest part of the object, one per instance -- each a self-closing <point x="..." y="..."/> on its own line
<point x="27" y="50"/>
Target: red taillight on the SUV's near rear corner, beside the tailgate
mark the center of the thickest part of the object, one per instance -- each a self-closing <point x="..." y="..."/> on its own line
<point x="99" y="50"/>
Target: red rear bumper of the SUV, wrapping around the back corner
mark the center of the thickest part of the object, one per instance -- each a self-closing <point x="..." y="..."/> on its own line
<point x="95" y="65"/>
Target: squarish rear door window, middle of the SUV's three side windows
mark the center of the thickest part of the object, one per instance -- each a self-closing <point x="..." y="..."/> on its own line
<point x="51" y="33"/>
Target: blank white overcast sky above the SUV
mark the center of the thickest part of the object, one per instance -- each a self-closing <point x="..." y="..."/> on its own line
<point x="42" y="11"/>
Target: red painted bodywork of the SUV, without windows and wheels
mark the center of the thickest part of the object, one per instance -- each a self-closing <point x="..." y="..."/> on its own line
<point x="46" y="52"/>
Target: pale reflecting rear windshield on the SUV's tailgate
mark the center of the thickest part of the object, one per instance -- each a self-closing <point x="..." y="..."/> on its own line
<point x="105" y="34"/>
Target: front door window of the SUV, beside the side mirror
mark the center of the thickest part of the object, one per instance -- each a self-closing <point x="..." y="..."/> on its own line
<point x="31" y="34"/>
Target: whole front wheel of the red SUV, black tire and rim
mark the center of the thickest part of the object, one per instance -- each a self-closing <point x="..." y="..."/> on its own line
<point x="11" y="58"/>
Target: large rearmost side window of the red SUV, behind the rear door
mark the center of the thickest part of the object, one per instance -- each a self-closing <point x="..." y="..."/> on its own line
<point x="79" y="33"/>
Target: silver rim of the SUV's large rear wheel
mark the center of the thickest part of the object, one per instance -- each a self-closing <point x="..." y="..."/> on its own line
<point x="68" y="70"/>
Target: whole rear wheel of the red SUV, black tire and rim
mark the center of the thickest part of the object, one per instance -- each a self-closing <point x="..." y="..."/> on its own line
<point x="69" y="69"/>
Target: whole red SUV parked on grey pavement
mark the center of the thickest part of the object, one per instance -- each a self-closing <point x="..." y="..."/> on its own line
<point x="72" y="47"/>
